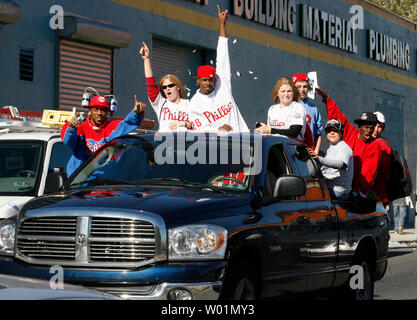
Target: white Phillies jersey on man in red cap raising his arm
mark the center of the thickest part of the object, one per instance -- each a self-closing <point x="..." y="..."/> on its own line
<point x="218" y="108"/>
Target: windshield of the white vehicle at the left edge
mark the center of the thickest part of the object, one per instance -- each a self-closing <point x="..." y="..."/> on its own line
<point x="20" y="167"/>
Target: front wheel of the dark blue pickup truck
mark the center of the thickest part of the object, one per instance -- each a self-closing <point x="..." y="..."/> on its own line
<point x="240" y="283"/>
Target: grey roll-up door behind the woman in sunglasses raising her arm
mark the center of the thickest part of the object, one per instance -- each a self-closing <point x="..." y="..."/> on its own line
<point x="180" y="60"/>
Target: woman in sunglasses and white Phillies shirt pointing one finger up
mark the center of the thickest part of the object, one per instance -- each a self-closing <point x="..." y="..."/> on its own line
<point x="168" y="100"/>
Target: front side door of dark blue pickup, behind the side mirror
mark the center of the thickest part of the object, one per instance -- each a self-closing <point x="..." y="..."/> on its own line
<point x="287" y="269"/>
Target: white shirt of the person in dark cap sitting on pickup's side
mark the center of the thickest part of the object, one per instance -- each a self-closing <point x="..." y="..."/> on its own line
<point x="339" y="180"/>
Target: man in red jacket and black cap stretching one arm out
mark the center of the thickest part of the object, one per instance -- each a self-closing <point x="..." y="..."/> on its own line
<point x="366" y="151"/>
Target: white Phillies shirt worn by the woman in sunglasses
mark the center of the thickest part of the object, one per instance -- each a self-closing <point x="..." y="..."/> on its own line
<point x="167" y="112"/>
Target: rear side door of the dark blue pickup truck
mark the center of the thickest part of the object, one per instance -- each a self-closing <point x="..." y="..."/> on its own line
<point x="321" y="220"/>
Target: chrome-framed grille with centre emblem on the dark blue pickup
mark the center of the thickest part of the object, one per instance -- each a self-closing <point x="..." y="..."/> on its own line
<point x="88" y="241"/>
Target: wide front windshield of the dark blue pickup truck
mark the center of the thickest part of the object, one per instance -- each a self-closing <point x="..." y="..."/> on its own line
<point x="207" y="162"/>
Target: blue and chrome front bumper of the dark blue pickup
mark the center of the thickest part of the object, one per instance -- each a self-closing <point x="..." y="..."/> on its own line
<point x="162" y="281"/>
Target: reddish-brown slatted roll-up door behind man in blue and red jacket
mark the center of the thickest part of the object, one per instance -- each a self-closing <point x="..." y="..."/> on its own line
<point x="80" y="66"/>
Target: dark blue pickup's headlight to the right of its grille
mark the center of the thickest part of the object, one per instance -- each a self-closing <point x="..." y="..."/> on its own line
<point x="197" y="242"/>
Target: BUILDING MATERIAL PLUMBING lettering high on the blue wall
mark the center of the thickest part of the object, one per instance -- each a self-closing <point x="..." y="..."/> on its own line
<point x="326" y="28"/>
